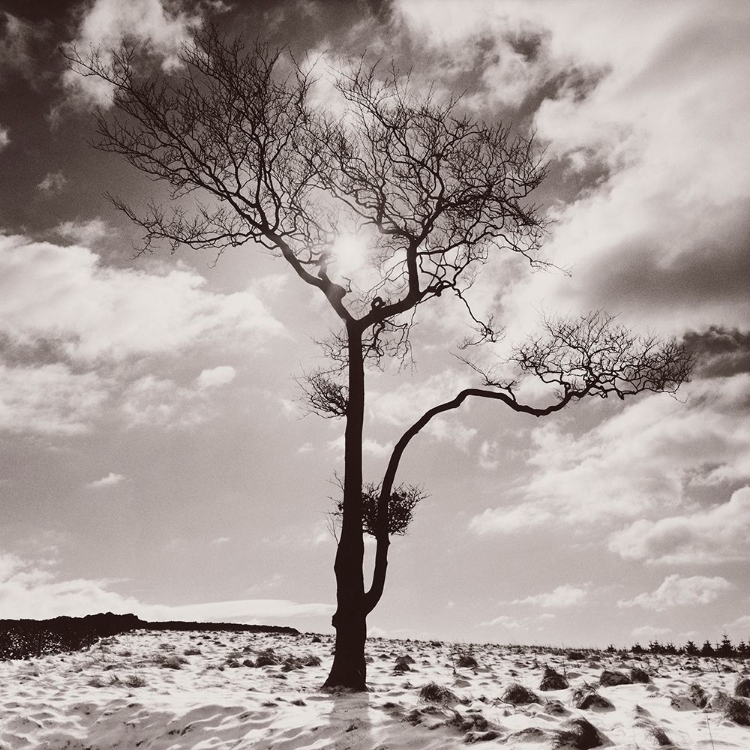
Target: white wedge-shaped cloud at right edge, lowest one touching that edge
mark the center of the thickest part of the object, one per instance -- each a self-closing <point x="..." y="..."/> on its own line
<point x="715" y="535"/>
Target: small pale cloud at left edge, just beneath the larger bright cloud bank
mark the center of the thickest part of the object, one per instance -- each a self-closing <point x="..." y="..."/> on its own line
<point x="50" y="399"/>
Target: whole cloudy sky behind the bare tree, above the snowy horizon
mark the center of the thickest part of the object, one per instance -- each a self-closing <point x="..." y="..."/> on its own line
<point x="155" y="456"/>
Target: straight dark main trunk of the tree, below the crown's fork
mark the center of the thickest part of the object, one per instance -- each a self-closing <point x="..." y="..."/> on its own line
<point x="348" y="670"/>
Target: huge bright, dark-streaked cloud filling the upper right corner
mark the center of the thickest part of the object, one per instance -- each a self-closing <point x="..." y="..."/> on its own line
<point x="650" y="201"/>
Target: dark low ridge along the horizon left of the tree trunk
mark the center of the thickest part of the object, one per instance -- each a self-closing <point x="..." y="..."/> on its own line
<point x="23" y="639"/>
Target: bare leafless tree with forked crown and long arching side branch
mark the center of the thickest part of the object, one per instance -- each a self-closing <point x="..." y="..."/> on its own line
<point x="436" y="193"/>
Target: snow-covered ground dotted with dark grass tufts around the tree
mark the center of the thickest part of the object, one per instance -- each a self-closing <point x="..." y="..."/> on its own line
<point x="203" y="690"/>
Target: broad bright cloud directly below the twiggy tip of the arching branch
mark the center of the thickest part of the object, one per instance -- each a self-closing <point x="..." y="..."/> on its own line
<point x="587" y="478"/>
